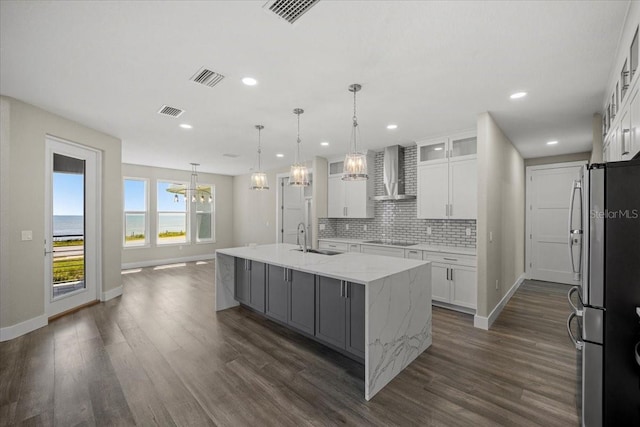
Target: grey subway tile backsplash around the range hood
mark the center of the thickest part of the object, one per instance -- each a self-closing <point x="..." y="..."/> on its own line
<point x="397" y="220"/>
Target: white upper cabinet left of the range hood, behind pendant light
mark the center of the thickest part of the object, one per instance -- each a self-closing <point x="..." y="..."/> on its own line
<point x="350" y="199"/>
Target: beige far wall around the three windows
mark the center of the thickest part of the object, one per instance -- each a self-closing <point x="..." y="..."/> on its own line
<point x="155" y="254"/>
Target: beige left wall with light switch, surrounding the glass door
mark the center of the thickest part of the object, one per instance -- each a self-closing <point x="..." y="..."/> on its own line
<point x="23" y="195"/>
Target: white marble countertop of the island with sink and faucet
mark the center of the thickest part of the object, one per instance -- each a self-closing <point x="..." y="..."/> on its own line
<point x="351" y="266"/>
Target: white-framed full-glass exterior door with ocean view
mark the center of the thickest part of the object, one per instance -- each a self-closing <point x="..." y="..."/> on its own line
<point x="71" y="226"/>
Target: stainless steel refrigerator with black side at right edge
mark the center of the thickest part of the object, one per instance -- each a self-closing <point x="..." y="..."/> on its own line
<point x="604" y="325"/>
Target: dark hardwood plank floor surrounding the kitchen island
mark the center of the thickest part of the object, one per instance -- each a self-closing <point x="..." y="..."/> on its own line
<point x="161" y="355"/>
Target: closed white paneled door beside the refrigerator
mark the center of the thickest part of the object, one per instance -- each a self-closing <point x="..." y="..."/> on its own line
<point x="548" y="192"/>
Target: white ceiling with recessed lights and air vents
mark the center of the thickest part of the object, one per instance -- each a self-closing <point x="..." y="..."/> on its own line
<point x="430" y="67"/>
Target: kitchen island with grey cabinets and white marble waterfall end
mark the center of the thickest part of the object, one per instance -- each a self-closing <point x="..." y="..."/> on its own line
<point x="374" y="308"/>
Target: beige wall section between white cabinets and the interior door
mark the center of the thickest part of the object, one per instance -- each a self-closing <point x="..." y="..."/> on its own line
<point x="501" y="203"/>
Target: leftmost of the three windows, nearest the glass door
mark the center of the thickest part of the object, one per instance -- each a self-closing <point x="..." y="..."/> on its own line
<point x="135" y="212"/>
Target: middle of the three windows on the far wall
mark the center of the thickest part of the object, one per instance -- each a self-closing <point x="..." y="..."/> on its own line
<point x="173" y="213"/>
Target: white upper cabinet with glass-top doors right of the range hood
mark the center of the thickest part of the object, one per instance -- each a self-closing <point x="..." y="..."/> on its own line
<point x="447" y="177"/>
